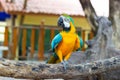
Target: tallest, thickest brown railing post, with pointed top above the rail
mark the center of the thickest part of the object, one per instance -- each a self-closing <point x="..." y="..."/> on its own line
<point x="41" y="42"/>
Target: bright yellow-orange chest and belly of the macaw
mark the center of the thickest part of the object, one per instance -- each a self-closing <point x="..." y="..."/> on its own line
<point x="68" y="42"/>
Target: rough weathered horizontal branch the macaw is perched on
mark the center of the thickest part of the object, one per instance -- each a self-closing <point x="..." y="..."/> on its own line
<point x="37" y="70"/>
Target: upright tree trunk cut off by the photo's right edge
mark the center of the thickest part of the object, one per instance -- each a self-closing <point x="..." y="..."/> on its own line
<point x="115" y="18"/>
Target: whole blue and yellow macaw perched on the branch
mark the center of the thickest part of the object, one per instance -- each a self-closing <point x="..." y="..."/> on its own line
<point x="64" y="43"/>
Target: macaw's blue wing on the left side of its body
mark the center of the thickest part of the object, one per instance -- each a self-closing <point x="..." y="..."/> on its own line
<point x="56" y="40"/>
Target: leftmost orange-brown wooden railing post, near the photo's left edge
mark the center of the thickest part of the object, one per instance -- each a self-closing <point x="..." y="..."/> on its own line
<point x="6" y="35"/>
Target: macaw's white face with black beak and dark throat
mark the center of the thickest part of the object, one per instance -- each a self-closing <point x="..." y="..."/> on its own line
<point x="64" y="22"/>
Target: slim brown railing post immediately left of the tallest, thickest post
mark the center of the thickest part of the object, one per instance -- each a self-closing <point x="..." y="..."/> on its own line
<point x="32" y="43"/>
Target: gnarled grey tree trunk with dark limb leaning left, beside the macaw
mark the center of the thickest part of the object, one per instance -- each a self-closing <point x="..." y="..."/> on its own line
<point x="100" y="47"/>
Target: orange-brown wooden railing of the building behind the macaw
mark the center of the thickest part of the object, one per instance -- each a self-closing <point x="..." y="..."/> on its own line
<point x="41" y="38"/>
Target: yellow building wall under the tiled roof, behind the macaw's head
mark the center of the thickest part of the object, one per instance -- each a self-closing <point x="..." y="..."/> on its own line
<point x="51" y="20"/>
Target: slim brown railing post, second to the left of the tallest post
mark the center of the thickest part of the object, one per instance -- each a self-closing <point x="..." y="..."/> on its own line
<point x="24" y="43"/>
